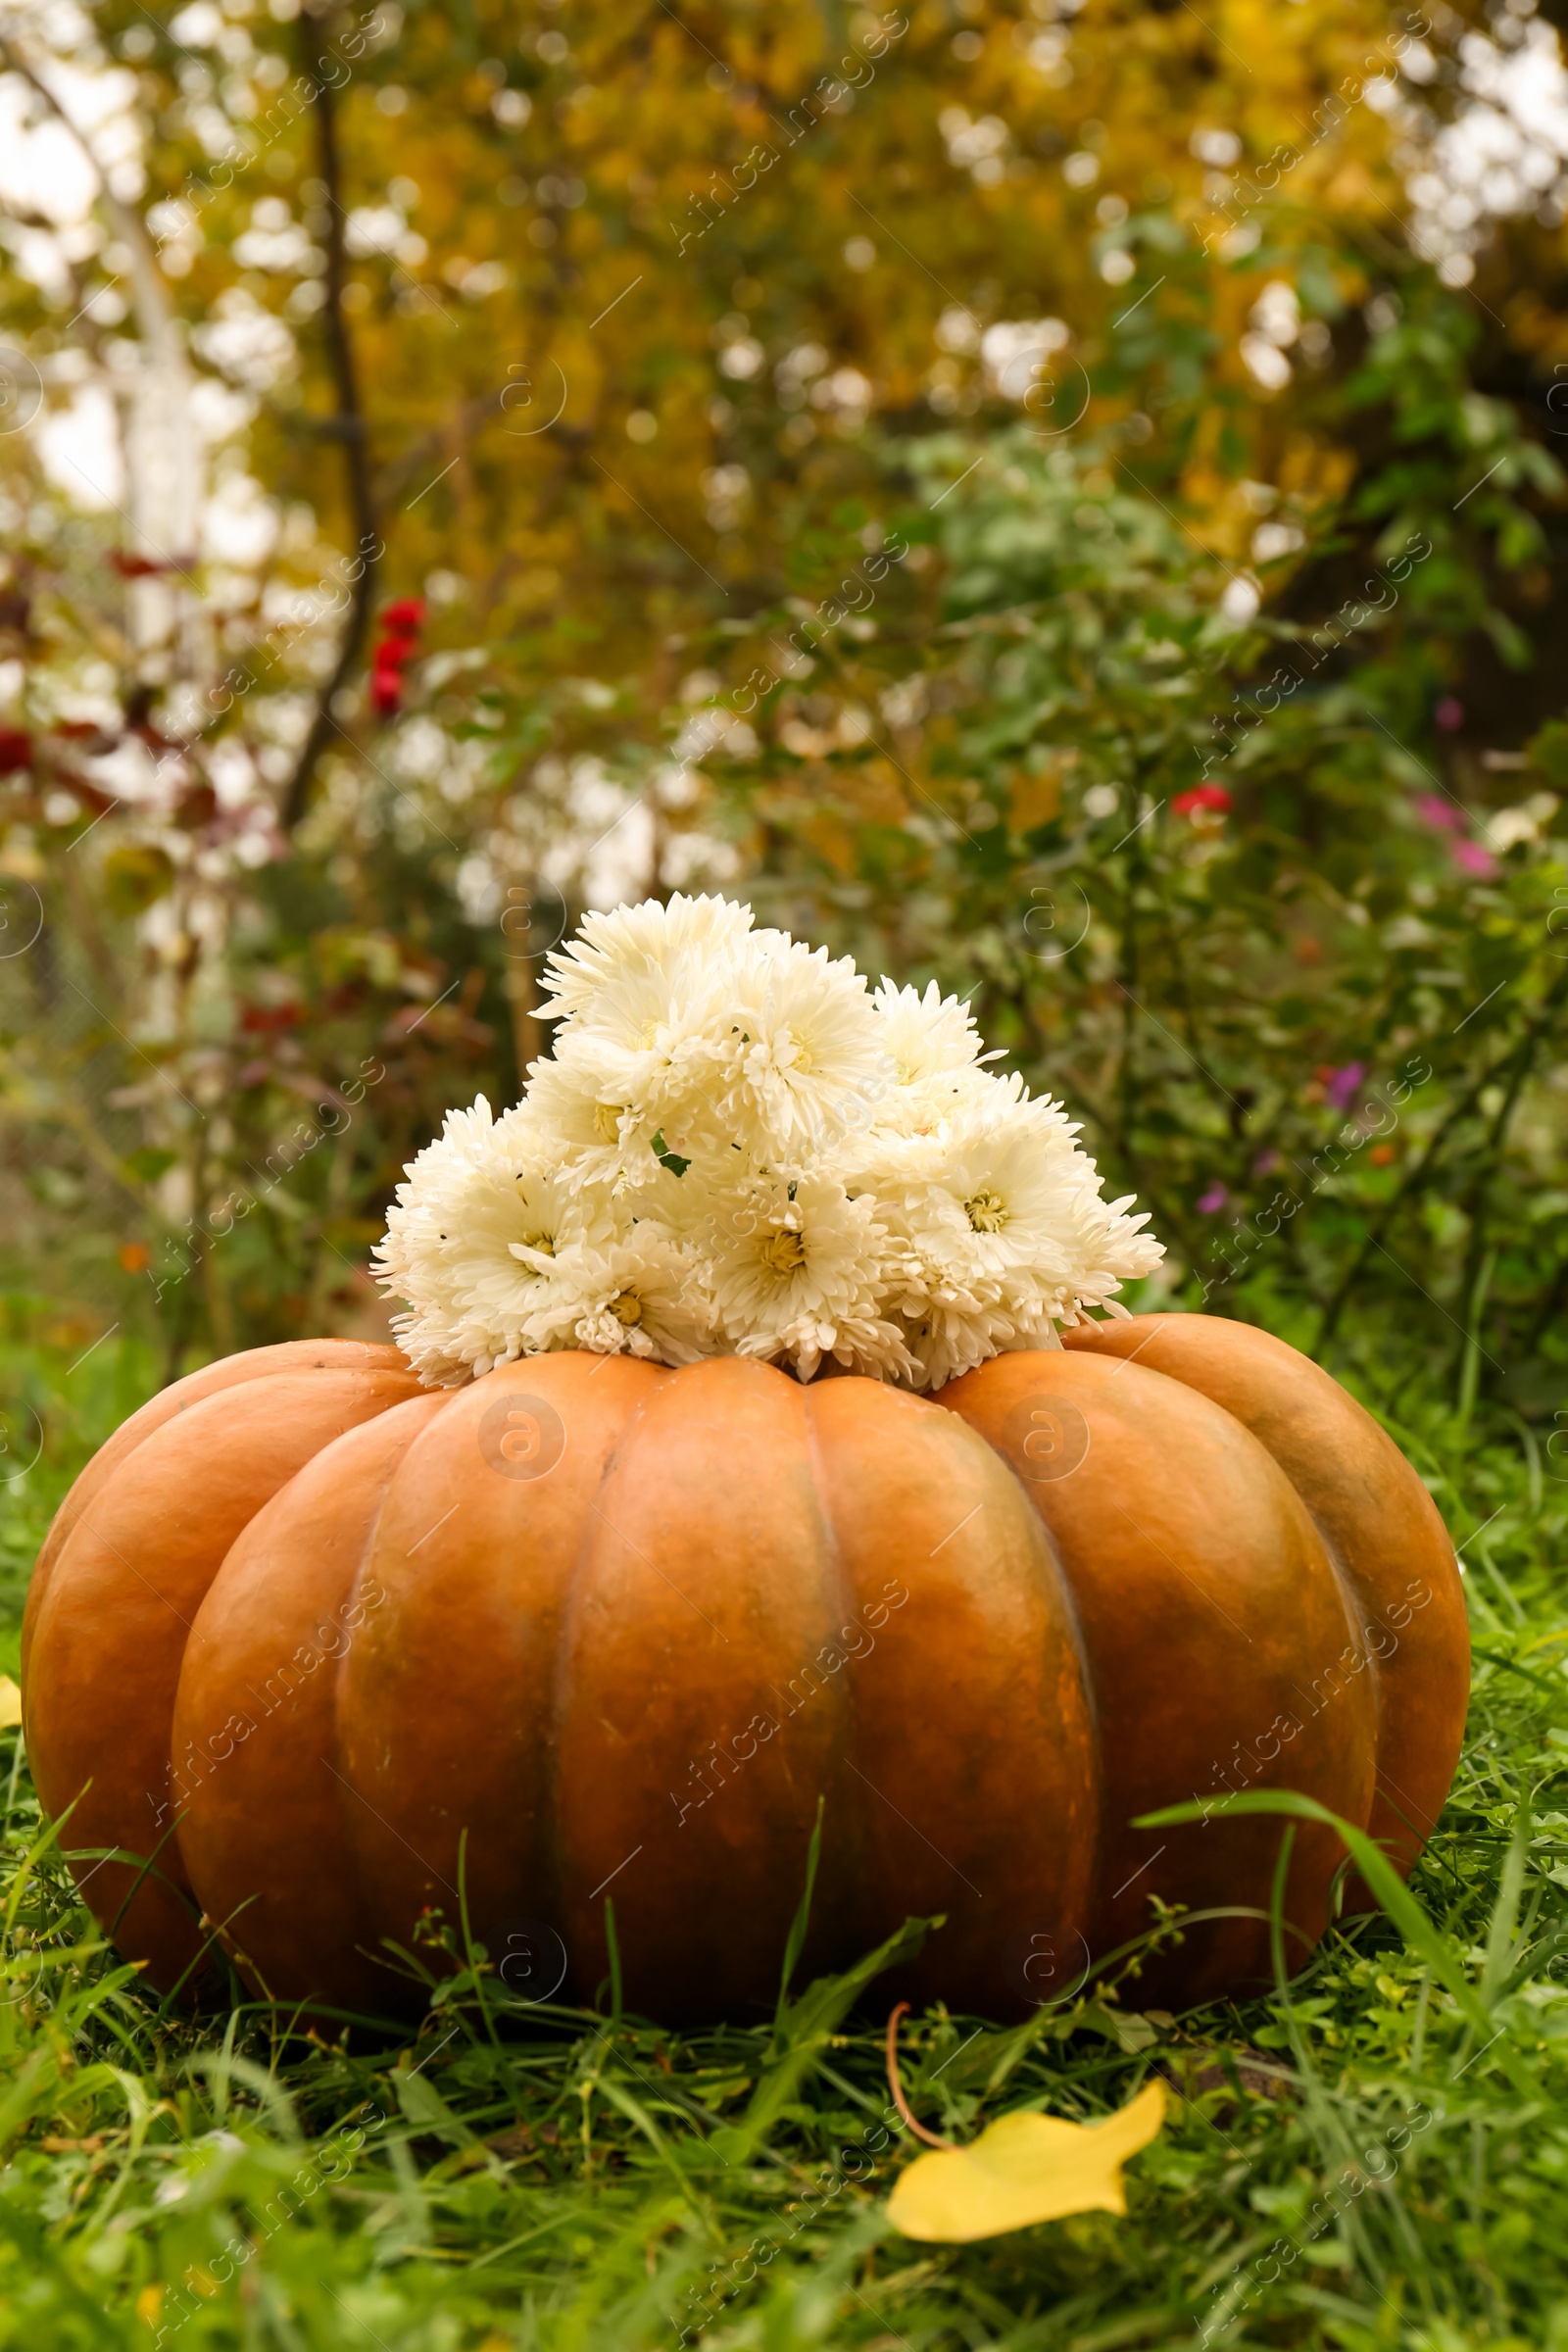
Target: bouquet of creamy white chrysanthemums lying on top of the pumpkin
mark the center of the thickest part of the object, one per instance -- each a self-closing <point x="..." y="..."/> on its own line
<point x="739" y="1149"/>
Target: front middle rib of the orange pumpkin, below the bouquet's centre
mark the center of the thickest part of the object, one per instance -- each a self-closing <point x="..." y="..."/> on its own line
<point x="702" y="1601"/>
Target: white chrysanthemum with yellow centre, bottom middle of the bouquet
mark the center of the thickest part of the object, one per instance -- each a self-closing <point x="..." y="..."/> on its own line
<point x="798" y="1274"/>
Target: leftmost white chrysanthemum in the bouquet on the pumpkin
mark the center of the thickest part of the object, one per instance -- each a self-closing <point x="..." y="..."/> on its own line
<point x="474" y="1236"/>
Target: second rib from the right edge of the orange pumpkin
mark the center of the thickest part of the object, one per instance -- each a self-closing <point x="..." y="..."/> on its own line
<point x="1165" y="1504"/>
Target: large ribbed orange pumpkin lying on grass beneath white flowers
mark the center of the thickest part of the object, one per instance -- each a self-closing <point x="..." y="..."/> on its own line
<point x="333" y="1652"/>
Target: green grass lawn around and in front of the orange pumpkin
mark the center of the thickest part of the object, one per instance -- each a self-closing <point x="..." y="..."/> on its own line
<point x="1376" y="2156"/>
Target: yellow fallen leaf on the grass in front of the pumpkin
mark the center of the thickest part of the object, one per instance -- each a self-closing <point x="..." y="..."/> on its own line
<point x="1026" y="2170"/>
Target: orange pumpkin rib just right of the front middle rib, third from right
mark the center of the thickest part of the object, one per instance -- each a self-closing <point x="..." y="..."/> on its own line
<point x="981" y="1808"/>
